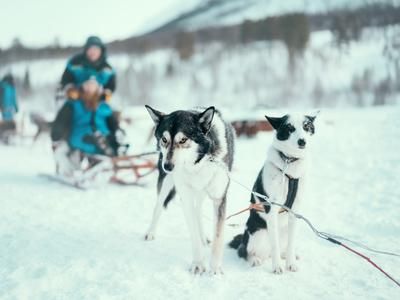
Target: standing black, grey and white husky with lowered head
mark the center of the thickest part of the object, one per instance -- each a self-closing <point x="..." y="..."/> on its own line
<point x="196" y="152"/>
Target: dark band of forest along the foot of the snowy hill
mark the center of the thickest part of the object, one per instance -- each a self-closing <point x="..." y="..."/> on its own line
<point x="292" y="29"/>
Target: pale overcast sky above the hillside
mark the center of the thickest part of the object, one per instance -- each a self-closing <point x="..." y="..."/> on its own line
<point x="39" y="22"/>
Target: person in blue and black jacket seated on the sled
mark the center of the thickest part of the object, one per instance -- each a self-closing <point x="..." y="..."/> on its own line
<point x="83" y="127"/>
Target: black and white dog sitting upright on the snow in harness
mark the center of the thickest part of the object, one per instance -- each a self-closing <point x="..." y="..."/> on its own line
<point x="282" y="179"/>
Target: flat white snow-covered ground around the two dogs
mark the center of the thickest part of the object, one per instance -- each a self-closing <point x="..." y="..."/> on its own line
<point x="60" y="243"/>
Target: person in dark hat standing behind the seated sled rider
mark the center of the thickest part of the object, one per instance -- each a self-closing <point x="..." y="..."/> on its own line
<point x="91" y="63"/>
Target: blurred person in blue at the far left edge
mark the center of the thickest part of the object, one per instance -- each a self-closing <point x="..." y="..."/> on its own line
<point x="8" y="99"/>
